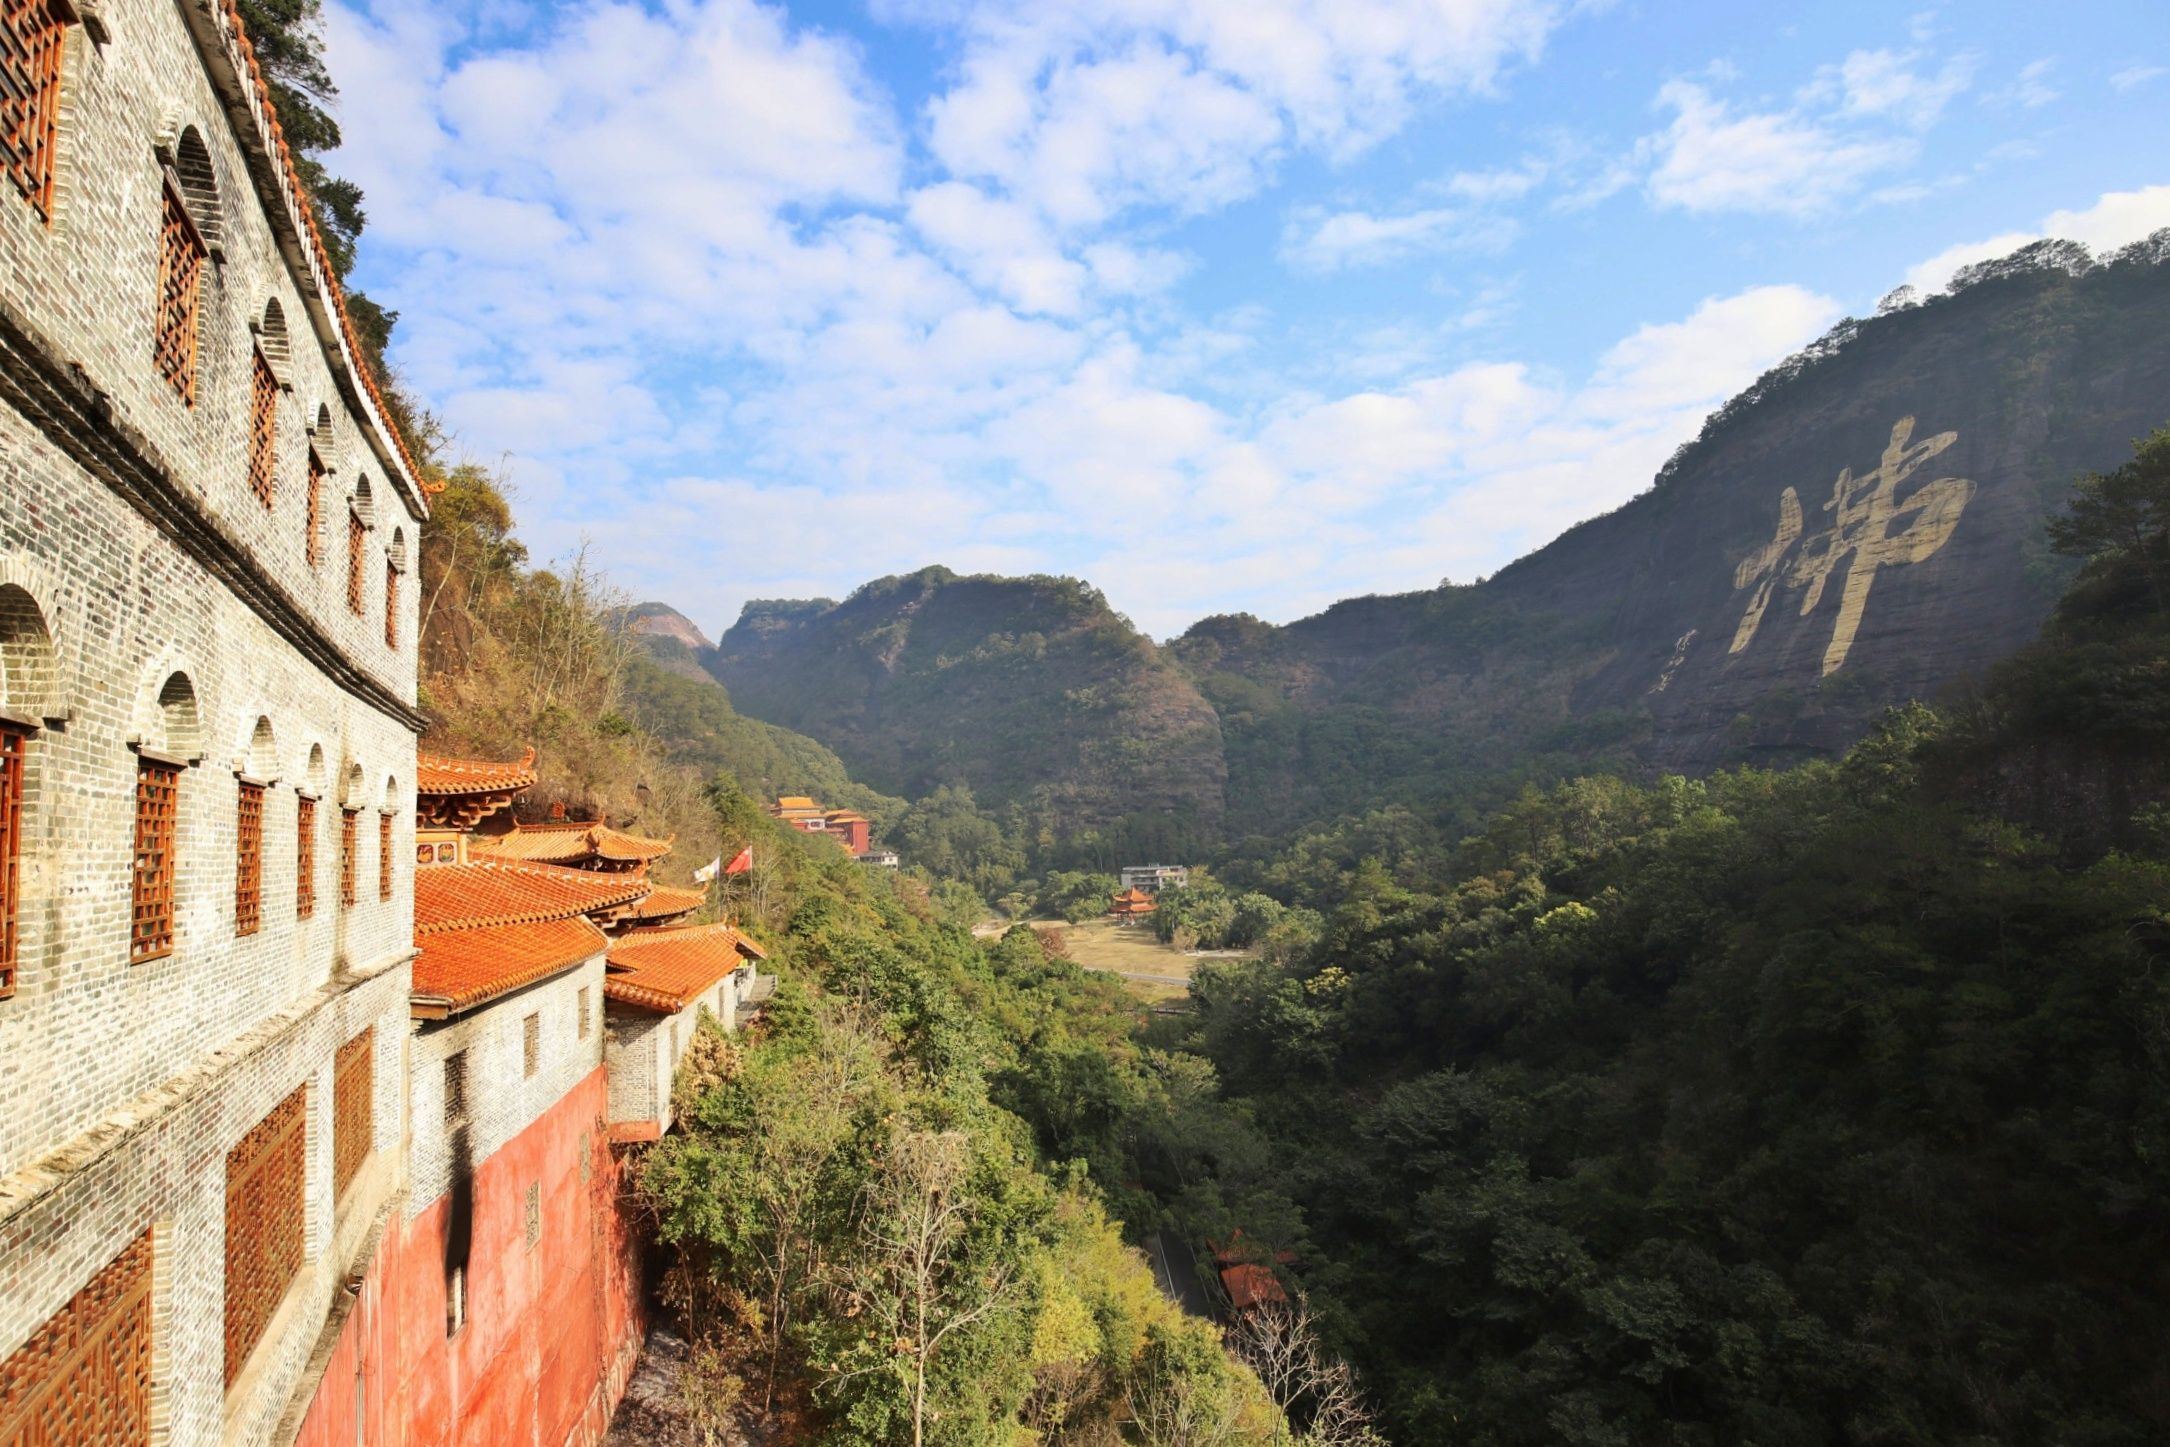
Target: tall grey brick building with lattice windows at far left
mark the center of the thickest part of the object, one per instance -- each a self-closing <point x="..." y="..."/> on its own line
<point x="207" y="723"/>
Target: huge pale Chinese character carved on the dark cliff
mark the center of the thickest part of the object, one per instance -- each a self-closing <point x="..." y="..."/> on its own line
<point x="1872" y="528"/>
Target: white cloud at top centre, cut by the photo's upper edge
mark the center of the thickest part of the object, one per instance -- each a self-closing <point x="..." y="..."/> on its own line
<point x="1192" y="103"/>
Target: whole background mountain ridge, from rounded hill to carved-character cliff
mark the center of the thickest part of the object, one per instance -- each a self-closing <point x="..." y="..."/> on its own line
<point x="1856" y="530"/>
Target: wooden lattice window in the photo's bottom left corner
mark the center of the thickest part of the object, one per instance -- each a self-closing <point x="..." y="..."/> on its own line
<point x="86" y="1374"/>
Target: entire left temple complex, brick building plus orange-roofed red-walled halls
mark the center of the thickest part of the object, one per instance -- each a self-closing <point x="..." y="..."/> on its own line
<point x="309" y="1118"/>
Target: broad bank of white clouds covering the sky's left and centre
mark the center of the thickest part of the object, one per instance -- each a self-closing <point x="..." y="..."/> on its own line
<point x="739" y="329"/>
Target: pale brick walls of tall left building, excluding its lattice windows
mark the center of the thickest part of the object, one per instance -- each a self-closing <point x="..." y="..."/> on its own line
<point x="133" y="554"/>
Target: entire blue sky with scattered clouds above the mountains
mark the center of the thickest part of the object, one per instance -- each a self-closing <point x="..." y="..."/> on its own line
<point x="1223" y="305"/>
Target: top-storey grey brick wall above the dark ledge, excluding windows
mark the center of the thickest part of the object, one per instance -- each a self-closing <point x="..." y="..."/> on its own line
<point x="88" y="281"/>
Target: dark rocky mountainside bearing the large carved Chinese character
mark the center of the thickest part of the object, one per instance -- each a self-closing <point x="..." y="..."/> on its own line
<point x="1861" y="528"/>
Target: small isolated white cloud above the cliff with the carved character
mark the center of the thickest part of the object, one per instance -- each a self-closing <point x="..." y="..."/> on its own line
<point x="1776" y="164"/>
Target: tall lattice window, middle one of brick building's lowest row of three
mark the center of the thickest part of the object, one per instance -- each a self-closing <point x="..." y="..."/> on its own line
<point x="264" y="1225"/>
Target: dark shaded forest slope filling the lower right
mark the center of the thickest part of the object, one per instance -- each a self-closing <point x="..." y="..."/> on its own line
<point x="1817" y="1105"/>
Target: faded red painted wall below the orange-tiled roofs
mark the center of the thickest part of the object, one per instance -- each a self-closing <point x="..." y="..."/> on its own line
<point x="552" y="1331"/>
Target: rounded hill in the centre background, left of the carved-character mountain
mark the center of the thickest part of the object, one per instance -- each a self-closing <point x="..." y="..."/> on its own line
<point x="1030" y="691"/>
